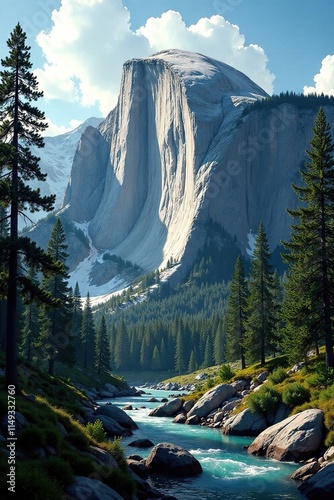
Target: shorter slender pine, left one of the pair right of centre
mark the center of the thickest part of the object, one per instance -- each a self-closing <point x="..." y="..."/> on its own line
<point x="236" y="315"/>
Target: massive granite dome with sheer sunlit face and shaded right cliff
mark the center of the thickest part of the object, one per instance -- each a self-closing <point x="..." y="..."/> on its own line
<point x="176" y="151"/>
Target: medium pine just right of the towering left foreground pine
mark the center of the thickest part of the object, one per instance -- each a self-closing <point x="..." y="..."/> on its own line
<point x="56" y="336"/>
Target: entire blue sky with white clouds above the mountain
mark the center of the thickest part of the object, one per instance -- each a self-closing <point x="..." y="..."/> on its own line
<point x="78" y="47"/>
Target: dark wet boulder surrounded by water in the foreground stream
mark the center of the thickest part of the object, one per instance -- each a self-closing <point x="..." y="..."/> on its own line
<point x="170" y="459"/>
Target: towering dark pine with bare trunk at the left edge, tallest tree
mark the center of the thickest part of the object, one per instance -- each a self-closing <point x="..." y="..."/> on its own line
<point x="20" y="126"/>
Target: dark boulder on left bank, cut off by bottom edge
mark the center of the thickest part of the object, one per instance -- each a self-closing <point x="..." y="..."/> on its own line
<point x="86" y="487"/>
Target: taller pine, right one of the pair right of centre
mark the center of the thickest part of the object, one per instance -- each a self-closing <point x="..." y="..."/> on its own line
<point x="260" y="304"/>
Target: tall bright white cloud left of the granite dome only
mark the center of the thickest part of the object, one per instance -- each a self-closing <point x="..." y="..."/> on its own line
<point x="85" y="50"/>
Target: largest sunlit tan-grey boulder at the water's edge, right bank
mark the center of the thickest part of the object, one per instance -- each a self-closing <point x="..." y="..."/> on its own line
<point x="294" y="439"/>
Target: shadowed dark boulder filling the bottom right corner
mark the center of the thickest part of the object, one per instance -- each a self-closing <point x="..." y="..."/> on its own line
<point x="321" y="485"/>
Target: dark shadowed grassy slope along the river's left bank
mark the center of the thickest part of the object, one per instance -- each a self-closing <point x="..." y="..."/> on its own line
<point x="56" y="445"/>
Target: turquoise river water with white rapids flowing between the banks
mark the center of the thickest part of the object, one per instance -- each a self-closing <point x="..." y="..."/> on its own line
<point x="229" y="472"/>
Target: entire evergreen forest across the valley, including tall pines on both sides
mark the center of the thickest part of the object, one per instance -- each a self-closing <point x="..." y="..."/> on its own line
<point x="230" y="308"/>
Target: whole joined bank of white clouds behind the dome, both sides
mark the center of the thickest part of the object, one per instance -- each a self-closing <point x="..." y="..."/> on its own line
<point x="91" y="39"/>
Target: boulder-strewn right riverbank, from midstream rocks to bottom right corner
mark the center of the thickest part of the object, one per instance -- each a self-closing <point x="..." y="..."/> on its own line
<point x="298" y="438"/>
